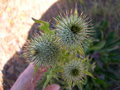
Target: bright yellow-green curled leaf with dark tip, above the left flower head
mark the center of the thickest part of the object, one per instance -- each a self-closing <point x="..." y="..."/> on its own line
<point x="45" y="26"/>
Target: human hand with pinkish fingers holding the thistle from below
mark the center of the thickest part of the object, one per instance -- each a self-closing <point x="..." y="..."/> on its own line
<point x="28" y="80"/>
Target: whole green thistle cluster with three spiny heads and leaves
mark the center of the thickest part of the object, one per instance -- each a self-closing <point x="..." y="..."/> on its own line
<point x="72" y="32"/>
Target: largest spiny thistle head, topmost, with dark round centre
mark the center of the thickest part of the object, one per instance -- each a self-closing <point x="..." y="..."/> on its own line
<point x="73" y="30"/>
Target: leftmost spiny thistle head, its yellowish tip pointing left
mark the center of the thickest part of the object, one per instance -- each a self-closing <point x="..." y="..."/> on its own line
<point x="43" y="50"/>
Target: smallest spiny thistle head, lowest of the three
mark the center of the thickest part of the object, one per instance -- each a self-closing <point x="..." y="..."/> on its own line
<point x="74" y="71"/>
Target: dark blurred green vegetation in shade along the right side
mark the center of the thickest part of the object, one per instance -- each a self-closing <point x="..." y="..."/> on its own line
<point x="105" y="51"/>
